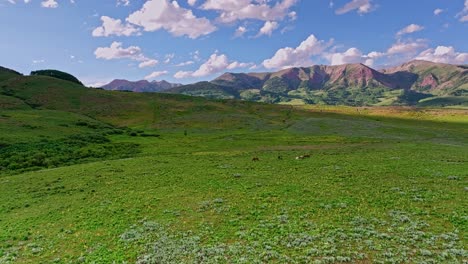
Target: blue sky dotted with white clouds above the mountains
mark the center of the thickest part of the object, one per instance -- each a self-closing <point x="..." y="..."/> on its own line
<point x="192" y="40"/>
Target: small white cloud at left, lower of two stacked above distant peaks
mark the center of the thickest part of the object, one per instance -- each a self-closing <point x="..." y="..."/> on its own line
<point x="116" y="51"/>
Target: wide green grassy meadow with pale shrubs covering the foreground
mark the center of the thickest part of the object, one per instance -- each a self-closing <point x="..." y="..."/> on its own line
<point x="172" y="179"/>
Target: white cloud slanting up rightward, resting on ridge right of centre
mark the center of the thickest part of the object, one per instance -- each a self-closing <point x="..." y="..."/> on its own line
<point x="300" y="56"/>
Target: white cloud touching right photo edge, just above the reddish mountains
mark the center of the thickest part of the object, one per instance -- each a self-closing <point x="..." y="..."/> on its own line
<point x="443" y="54"/>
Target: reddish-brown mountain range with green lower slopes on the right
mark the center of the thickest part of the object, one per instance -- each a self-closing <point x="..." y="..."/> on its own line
<point x="350" y="84"/>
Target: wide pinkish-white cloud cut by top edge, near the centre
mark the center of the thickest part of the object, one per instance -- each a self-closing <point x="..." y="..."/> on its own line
<point x="233" y="10"/>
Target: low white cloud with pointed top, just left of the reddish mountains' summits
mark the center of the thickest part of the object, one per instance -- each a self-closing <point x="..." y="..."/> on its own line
<point x="215" y="64"/>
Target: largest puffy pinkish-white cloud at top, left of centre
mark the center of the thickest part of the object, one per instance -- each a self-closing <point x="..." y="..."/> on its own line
<point x="161" y="14"/>
